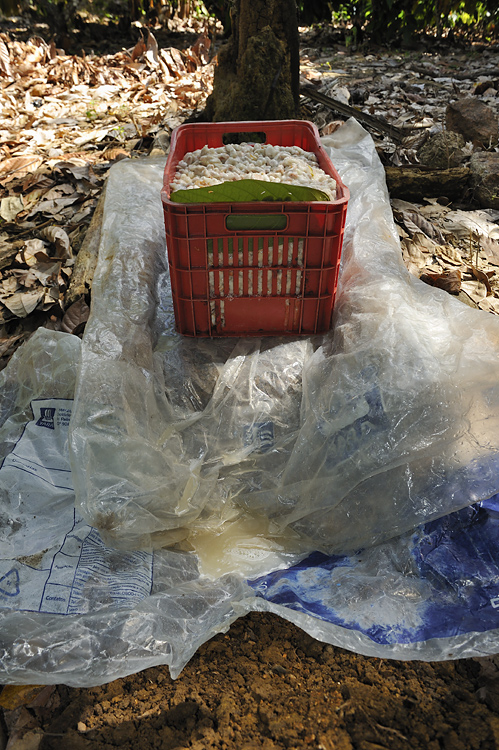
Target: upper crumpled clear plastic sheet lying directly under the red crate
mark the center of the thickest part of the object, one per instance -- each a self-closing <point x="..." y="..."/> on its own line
<point x="340" y="442"/>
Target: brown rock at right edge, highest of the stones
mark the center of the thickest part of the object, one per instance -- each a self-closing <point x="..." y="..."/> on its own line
<point x="474" y="120"/>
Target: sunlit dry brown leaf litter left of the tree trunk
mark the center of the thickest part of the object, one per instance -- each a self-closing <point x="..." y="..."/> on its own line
<point x="65" y="119"/>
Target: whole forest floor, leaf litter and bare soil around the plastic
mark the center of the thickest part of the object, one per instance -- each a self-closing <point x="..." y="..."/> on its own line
<point x="66" y="118"/>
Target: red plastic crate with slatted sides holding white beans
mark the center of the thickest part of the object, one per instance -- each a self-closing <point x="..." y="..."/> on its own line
<point x="253" y="282"/>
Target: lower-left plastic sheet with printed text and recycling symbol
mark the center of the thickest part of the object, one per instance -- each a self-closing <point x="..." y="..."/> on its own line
<point x="73" y="610"/>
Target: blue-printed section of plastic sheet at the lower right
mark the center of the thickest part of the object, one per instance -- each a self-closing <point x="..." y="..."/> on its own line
<point x="430" y="595"/>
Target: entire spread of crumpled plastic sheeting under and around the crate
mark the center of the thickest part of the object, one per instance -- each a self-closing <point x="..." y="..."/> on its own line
<point x="361" y="466"/>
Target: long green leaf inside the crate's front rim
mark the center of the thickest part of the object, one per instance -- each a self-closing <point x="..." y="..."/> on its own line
<point x="248" y="191"/>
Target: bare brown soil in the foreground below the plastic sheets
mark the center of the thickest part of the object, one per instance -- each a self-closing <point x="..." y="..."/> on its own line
<point x="267" y="684"/>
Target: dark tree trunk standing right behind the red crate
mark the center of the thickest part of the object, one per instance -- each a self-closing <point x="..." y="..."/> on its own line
<point x="257" y="76"/>
